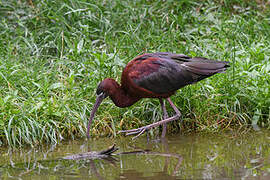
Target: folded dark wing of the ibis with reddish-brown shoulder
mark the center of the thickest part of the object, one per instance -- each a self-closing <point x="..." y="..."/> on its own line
<point x="165" y="73"/>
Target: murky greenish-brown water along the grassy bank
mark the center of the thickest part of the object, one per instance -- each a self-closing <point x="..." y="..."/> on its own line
<point x="199" y="156"/>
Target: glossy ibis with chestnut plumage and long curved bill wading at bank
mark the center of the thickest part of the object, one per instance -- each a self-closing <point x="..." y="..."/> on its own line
<point x="156" y="75"/>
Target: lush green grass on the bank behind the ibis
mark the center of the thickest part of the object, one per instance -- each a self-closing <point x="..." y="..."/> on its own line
<point x="53" y="54"/>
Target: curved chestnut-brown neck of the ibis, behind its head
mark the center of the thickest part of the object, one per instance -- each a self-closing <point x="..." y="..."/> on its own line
<point x="120" y="97"/>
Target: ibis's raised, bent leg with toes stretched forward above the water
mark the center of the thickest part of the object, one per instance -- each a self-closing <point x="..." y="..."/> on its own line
<point x="141" y="130"/>
